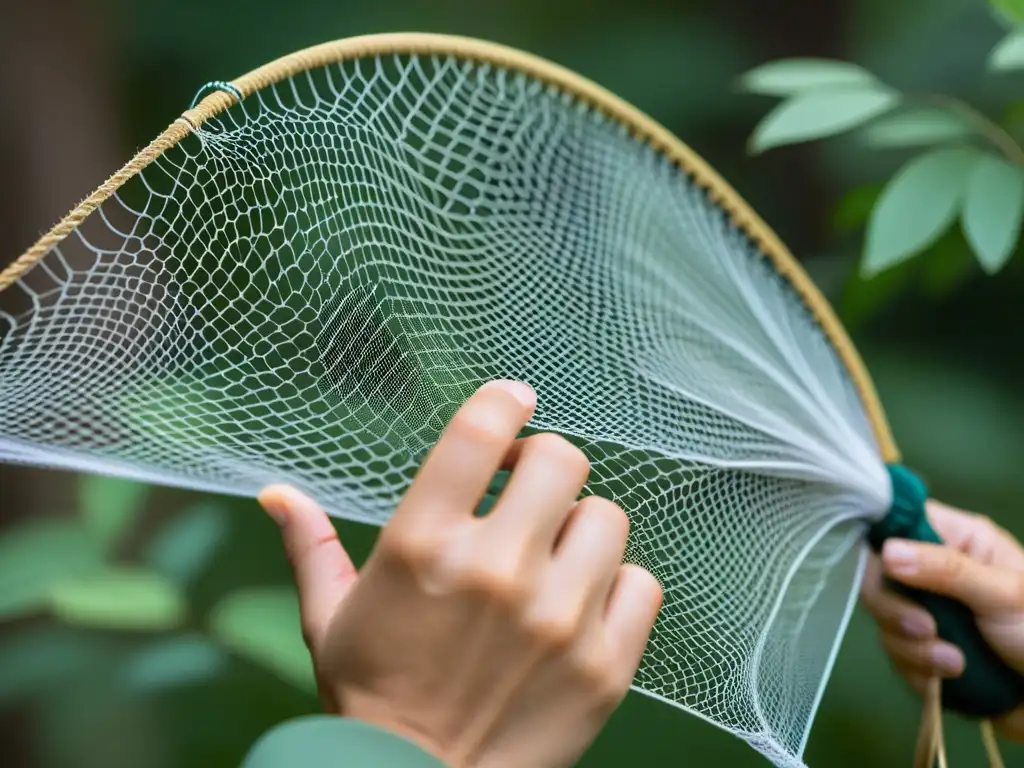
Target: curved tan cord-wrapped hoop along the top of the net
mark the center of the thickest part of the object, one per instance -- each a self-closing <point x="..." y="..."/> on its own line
<point x="641" y="126"/>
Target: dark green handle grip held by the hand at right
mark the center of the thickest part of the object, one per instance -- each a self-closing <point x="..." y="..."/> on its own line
<point x="989" y="687"/>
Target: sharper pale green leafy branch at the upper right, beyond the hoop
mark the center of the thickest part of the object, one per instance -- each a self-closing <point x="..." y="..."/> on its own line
<point x="968" y="167"/>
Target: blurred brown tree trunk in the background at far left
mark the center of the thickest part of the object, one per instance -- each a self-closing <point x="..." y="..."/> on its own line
<point x="59" y="141"/>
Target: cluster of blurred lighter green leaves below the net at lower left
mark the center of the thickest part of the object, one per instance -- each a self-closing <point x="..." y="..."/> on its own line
<point x="146" y="594"/>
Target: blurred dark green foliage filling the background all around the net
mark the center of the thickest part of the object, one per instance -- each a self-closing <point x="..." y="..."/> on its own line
<point x="152" y="628"/>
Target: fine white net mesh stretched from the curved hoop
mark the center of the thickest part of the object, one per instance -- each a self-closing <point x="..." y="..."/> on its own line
<point x="308" y="287"/>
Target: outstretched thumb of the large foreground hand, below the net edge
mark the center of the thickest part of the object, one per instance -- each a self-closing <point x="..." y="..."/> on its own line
<point x="324" y="572"/>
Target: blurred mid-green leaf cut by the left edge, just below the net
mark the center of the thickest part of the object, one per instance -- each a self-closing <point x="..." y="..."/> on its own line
<point x="36" y="556"/>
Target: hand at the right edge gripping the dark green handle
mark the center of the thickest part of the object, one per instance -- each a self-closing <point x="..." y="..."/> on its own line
<point x="983" y="567"/>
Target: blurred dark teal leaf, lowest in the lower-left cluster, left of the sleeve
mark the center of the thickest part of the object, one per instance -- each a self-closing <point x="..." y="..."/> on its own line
<point x="173" y="663"/>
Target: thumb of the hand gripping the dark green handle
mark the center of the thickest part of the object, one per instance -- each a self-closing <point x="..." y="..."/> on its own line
<point x="985" y="589"/>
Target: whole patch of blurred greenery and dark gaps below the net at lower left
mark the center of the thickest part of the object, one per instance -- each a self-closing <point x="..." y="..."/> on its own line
<point x="144" y="617"/>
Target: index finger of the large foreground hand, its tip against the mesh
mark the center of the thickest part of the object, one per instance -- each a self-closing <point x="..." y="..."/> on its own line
<point x="458" y="471"/>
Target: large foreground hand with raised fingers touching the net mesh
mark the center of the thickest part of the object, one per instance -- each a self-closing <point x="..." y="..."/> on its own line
<point x="503" y="641"/>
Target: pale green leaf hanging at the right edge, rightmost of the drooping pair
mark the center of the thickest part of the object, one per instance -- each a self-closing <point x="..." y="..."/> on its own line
<point x="993" y="211"/>
